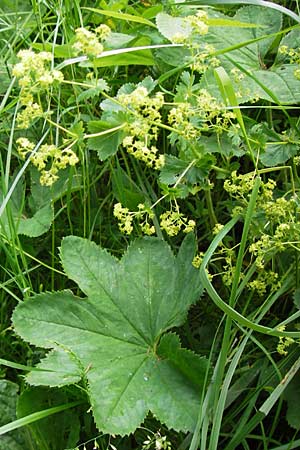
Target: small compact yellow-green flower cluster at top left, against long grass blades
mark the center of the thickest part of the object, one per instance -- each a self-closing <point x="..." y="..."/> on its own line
<point x="91" y="43"/>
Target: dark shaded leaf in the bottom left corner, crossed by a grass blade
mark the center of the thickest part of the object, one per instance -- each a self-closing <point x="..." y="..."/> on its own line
<point x="8" y="398"/>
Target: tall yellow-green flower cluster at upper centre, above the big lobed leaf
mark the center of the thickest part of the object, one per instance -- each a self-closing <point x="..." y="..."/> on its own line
<point x="142" y="126"/>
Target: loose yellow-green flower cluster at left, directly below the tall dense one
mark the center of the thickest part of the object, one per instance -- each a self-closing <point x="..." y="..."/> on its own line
<point x="49" y="159"/>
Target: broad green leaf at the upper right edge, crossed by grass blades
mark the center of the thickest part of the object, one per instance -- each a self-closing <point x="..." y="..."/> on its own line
<point x="275" y="83"/>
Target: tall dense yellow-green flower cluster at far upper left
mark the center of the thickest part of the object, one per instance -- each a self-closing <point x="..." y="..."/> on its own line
<point x="35" y="75"/>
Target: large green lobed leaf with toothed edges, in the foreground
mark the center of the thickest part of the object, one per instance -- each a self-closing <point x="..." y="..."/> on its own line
<point x="114" y="333"/>
